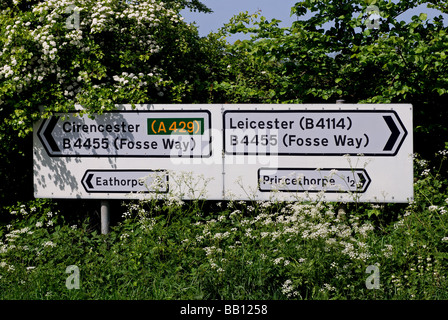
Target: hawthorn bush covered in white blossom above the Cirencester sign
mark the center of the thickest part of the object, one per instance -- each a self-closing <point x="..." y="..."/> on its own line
<point x="121" y="52"/>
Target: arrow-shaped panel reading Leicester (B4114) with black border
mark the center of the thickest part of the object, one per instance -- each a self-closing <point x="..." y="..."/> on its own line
<point x="313" y="132"/>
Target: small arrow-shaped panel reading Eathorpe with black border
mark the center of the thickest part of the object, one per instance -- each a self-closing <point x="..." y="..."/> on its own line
<point x="125" y="181"/>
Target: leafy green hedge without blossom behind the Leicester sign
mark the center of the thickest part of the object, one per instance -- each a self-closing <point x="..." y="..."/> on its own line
<point x="334" y="55"/>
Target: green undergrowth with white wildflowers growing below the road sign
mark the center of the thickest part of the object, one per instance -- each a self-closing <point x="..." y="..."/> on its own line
<point x="197" y="250"/>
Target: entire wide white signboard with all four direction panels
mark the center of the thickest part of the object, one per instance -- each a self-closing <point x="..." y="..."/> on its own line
<point x="347" y="152"/>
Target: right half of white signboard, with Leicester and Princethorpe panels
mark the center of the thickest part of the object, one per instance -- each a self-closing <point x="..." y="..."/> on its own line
<point x="289" y="152"/>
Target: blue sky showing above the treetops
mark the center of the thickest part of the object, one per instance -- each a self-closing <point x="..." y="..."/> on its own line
<point x="223" y="10"/>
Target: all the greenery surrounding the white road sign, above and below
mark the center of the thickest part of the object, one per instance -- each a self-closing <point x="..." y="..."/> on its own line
<point x="142" y="52"/>
